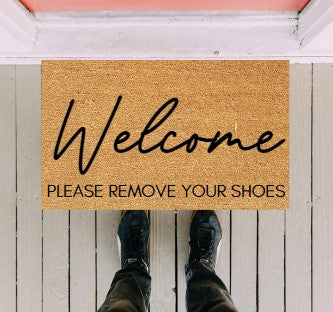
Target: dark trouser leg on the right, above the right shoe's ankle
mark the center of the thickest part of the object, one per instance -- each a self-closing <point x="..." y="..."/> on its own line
<point x="205" y="290"/>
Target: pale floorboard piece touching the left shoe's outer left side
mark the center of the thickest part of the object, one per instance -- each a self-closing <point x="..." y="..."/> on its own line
<point x="108" y="262"/>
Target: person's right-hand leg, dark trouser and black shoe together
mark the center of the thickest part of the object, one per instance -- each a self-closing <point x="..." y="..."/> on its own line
<point x="205" y="290"/>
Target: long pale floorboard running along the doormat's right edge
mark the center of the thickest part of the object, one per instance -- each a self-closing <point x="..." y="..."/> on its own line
<point x="298" y="218"/>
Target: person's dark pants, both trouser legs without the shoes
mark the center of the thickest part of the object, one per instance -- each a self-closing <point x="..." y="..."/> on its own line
<point x="130" y="291"/>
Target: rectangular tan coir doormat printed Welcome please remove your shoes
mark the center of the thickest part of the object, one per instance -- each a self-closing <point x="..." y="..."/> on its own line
<point x="165" y="134"/>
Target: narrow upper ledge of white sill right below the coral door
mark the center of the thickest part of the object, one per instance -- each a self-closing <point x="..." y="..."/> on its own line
<point x="142" y="19"/>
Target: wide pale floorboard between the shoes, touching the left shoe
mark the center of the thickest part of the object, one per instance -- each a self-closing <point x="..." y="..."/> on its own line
<point x="162" y="264"/>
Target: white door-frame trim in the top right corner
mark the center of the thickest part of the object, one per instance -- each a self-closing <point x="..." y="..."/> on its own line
<point x="317" y="15"/>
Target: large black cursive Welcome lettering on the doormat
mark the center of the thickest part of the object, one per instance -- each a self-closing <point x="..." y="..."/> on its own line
<point x="161" y="115"/>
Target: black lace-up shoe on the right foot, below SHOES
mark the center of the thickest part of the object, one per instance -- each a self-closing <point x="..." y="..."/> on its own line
<point x="205" y="236"/>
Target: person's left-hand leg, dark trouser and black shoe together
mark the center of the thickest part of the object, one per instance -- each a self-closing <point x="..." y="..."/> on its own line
<point x="130" y="288"/>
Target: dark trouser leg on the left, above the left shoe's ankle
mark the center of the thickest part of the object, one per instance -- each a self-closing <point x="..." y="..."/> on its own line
<point x="130" y="291"/>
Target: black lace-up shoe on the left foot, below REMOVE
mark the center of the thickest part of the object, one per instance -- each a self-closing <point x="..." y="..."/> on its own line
<point x="133" y="233"/>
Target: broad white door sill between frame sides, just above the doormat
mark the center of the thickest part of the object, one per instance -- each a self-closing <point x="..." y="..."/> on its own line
<point x="168" y="37"/>
